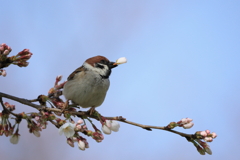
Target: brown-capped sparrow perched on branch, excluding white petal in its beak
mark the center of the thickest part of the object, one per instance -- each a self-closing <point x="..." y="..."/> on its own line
<point x="87" y="86"/>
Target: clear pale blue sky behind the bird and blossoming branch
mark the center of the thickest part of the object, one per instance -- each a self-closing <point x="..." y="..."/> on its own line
<point x="183" y="61"/>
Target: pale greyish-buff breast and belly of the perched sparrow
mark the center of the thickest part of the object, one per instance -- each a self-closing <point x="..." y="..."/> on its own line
<point x="87" y="90"/>
